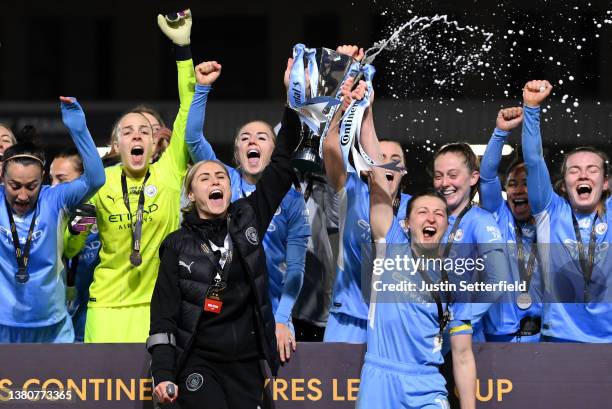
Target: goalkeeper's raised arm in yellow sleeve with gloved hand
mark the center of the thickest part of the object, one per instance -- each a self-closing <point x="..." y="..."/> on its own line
<point x="176" y="156"/>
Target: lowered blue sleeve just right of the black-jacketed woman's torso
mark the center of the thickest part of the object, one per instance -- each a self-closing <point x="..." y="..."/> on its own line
<point x="297" y="242"/>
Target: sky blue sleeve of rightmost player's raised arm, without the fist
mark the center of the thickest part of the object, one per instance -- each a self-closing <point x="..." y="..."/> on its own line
<point x="539" y="187"/>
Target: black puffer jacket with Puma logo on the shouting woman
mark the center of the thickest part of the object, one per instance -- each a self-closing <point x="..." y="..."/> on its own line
<point x="178" y="297"/>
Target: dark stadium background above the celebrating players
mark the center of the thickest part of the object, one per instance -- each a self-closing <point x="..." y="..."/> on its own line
<point x="111" y="55"/>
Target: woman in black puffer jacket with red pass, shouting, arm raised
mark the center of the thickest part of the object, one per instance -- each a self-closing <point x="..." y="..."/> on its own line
<point x="211" y="318"/>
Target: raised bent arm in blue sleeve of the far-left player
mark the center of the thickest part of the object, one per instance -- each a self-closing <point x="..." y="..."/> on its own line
<point x="92" y="179"/>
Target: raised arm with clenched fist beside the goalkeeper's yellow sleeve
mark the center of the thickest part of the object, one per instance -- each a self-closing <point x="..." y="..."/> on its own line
<point x="199" y="148"/>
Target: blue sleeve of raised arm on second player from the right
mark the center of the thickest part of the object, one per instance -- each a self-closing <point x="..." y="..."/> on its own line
<point x="491" y="198"/>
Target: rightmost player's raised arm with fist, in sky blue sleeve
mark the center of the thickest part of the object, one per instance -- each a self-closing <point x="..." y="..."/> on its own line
<point x="540" y="189"/>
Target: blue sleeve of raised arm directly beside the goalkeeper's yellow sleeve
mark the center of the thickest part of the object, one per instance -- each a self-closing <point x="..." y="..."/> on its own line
<point x="199" y="148"/>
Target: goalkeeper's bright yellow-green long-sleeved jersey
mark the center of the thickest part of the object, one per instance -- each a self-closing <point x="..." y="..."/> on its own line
<point x="116" y="282"/>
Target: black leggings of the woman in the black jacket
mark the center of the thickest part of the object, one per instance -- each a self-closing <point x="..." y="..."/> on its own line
<point x="221" y="385"/>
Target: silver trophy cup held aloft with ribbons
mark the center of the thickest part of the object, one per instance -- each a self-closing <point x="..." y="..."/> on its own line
<point x="324" y="72"/>
